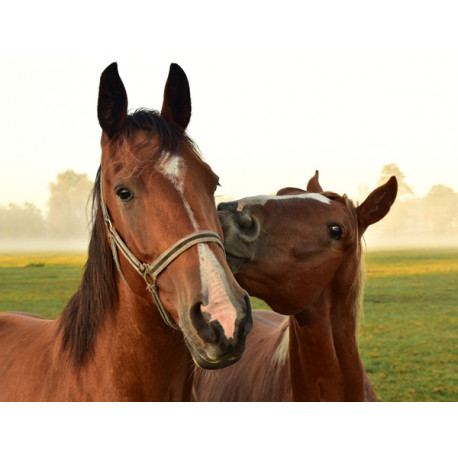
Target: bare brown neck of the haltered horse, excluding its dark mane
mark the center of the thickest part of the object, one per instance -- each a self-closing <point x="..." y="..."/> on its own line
<point x="152" y="358"/>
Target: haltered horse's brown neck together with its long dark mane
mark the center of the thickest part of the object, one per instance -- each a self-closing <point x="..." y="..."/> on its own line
<point x="107" y="329"/>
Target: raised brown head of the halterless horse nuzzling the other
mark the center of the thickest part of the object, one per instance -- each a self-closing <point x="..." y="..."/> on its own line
<point x="280" y="246"/>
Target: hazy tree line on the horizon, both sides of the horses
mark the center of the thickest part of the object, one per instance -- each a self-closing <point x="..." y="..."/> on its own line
<point x="435" y="214"/>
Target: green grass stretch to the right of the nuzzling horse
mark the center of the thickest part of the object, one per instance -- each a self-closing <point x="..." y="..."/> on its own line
<point x="409" y="336"/>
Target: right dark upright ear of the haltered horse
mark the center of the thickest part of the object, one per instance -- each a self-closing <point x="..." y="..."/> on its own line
<point x="176" y="107"/>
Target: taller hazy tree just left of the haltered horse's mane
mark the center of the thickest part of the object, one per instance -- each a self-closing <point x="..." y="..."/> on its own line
<point x="67" y="204"/>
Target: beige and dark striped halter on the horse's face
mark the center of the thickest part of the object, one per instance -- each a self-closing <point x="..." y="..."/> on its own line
<point x="160" y="264"/>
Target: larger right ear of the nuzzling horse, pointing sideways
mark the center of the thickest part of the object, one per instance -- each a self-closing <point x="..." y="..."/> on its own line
<point x="377" y="204"/>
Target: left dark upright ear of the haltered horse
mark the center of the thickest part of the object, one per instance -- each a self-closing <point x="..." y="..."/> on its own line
<point x="112" y="104"/>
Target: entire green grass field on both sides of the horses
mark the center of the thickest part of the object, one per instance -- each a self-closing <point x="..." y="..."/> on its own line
<point x="408" y="338"/>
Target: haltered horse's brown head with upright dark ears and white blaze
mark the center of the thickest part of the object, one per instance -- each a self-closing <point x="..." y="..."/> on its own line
<point x="157" y="197"/>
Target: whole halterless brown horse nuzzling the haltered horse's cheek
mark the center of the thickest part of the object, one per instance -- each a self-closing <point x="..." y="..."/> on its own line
<point x="301" y="253"/>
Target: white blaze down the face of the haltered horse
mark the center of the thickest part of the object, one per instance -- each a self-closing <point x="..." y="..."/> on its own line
<point x="212" y="275"/>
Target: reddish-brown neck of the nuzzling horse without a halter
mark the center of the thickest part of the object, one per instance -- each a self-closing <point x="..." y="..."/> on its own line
<point x="324" y="358"/>
